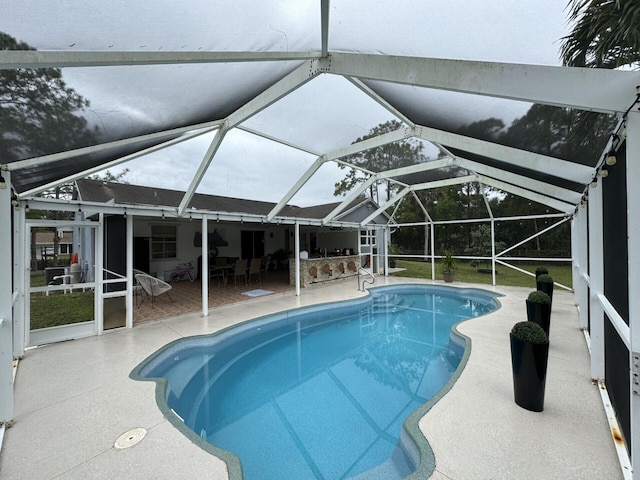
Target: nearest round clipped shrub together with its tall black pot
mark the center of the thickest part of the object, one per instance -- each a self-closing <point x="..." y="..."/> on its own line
<point x="529" y="357"/>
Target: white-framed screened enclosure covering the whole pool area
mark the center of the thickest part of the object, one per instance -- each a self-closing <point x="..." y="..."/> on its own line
<point x="308" y="103"/>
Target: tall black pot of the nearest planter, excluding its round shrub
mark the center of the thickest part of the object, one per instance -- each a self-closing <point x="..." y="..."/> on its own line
<point x="529" y="366"/>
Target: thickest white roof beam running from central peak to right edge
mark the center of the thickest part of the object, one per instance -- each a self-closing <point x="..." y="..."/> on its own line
<point x="529" y="83"/>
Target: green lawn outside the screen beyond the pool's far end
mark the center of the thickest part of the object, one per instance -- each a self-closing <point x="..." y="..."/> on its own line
<point x="561" y="273"/>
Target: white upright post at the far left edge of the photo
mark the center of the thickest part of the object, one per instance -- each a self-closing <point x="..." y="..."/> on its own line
<point x="6" y="309"/>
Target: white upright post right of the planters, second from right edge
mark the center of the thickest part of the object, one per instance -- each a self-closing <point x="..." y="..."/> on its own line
<point x="596" y="275"/>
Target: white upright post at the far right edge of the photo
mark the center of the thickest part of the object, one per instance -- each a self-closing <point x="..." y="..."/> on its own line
<point x="633" y="240"/>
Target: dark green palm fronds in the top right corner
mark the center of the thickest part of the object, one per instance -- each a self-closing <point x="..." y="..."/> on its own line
<point x="606" y="34"/>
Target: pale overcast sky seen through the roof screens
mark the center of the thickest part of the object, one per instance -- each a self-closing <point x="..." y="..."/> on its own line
<point x="323" y="115"/>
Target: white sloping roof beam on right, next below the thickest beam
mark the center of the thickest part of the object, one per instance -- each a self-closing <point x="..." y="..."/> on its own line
<point x="509" y="155"/>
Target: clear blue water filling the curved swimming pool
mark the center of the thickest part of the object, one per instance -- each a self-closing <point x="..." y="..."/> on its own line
<point x="320" y="392"/>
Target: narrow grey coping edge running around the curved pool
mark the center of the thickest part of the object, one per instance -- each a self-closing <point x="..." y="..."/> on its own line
<point x="412" y="439"/>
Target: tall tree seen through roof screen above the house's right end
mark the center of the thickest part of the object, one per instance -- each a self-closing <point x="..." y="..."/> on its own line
<point x="378" y="159"/>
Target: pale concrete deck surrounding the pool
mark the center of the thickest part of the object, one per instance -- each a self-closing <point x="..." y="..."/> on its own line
<point x="74" y="399"/>
